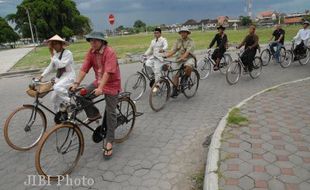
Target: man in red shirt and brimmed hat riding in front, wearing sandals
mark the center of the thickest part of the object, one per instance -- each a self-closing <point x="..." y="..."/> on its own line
<point x="103" y="60"/>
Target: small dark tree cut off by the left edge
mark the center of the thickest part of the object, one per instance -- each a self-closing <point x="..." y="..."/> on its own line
<point x="7" y="33"/>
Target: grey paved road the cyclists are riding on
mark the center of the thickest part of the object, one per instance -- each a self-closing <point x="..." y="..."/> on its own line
<point x="164" y="149"/>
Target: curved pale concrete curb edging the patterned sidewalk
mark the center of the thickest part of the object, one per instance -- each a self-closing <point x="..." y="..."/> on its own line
<point x="211" y="177"/>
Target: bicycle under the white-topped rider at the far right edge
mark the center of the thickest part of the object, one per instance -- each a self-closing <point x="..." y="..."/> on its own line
<point x="291" y="57"/>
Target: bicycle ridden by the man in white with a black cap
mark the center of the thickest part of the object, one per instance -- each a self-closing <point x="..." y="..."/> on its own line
<point x="136" y="83"/>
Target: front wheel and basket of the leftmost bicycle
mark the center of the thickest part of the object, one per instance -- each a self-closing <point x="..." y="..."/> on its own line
<point x="23" y="137"/>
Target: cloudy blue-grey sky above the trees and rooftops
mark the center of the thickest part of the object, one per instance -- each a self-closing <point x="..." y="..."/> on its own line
<point x="167" y="11"/>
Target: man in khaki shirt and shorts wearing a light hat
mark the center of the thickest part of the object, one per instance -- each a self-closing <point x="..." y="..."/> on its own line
<point x="184" y="48"/>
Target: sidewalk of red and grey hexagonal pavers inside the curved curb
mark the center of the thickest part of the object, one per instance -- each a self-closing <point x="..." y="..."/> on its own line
<point x="271" y="149"/>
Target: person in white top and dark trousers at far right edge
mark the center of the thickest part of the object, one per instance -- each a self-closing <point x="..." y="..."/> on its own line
<point x="301" y="40"/>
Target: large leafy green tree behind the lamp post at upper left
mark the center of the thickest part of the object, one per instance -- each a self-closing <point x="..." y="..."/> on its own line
<point x="50" y="17"/>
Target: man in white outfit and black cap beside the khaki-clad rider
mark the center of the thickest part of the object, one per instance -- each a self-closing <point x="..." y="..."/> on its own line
<point x="158" y="46"/>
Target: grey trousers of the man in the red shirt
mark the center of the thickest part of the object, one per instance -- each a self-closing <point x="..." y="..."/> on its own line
<point x="110" y="111"/>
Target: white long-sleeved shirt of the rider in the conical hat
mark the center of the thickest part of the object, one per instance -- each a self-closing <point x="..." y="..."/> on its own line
<point x="66" y="61"/>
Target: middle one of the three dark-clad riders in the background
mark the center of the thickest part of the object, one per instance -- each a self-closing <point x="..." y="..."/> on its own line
<point x="251" y="45"/>
